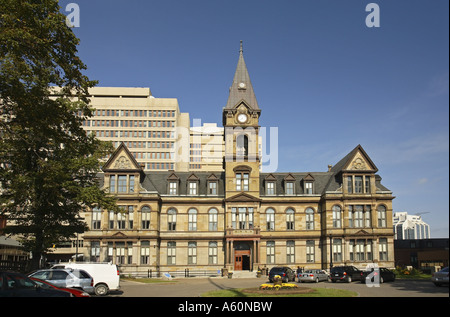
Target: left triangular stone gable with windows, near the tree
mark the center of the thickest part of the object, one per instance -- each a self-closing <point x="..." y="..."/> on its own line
<point x="122" y="172"/>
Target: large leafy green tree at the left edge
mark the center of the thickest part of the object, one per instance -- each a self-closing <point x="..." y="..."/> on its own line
<point x="48" y="165"/>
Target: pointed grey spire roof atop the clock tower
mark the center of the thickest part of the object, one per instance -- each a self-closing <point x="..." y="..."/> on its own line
<point x="241" y="89"/>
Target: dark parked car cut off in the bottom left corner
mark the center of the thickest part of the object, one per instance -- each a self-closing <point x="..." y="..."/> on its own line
<point x="14" y="284"/>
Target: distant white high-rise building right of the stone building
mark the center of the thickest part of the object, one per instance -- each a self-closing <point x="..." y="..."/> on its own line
<point x="410" y="227"/>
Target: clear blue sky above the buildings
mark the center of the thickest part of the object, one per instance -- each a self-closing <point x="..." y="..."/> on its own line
<point x="326" y="80"/>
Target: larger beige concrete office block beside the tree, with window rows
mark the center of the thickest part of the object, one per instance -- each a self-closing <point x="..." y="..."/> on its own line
<point x="153" y="129"/>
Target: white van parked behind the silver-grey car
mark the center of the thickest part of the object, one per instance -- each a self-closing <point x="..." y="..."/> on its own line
<point x="106" y="275"/>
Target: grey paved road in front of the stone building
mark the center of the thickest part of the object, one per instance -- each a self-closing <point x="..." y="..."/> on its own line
<point x="194" y="287"/>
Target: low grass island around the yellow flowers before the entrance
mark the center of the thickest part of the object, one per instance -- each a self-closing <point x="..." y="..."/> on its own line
<point x="318" y="292"/>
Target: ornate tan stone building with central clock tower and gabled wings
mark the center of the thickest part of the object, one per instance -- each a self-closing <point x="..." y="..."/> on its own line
<point x="240" y="218"/>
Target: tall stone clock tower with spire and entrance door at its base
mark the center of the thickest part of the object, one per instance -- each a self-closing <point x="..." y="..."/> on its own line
<point x="242" y="169"/>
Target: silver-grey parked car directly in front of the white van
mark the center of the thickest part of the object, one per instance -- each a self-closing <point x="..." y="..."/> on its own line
<point x="67" y="278"/>
